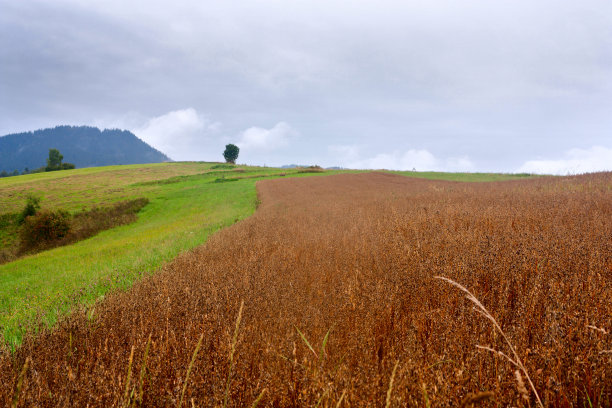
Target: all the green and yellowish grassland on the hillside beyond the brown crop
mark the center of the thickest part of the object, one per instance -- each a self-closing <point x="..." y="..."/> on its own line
<point x="188" y="202"/>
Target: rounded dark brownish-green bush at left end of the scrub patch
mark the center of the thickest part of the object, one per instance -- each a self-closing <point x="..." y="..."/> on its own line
<point x="44" y="229"/>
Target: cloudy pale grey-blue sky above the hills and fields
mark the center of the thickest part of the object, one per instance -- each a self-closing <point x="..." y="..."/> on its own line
<point x="445" y="85"/>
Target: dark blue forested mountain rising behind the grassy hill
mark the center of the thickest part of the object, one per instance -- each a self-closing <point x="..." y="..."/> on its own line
<point x="84" y="146"/>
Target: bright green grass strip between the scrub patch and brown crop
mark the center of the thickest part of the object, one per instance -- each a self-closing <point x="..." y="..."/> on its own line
<point x="180" y="216"/>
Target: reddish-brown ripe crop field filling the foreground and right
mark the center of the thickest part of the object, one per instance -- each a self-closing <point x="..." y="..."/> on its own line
<point x="330" y="295"/>
